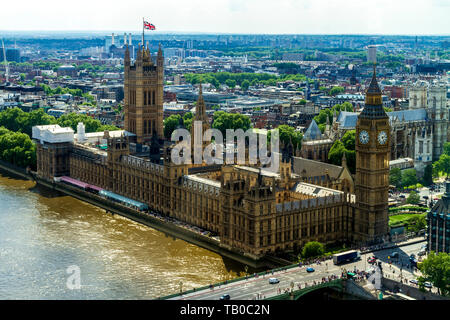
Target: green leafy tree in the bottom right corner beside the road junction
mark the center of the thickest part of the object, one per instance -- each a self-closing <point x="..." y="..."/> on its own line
<point x="436" y="269"/>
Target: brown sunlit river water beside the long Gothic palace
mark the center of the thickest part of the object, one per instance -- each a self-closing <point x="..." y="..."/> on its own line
<point x="43" y="233"/>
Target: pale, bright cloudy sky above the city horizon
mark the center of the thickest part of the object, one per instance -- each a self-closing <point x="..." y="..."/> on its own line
<point x="412" y="17"/>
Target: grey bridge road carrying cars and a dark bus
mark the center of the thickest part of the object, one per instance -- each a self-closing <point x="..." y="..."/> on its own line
<point x="248" y="289"/>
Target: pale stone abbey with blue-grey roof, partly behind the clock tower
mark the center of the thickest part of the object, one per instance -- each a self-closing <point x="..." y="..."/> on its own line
<point x="419" y="132"/>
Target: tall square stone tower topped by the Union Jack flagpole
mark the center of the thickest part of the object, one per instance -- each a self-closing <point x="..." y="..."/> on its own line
<point x="143" y="90"/>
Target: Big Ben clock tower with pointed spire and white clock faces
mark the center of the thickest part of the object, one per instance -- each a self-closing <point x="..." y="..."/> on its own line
<point x="372" y="168"/>
